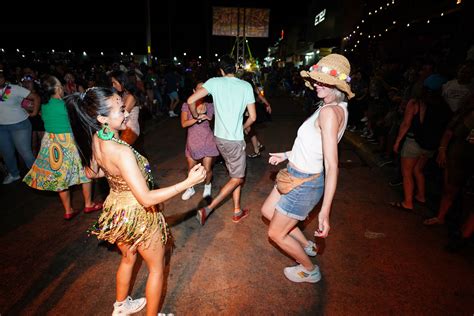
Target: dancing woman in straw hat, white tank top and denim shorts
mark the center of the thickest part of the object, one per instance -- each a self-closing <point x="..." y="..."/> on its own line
<point x="314" y="151"/>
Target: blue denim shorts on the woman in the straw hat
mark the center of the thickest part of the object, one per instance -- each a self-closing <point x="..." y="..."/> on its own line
<point x="299" y="202"/>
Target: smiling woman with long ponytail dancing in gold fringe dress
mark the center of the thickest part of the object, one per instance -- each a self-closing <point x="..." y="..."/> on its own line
<point x="130" y="217"/>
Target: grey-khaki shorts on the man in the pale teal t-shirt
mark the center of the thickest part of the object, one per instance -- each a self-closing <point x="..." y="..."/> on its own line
<point x="233" y="152"/>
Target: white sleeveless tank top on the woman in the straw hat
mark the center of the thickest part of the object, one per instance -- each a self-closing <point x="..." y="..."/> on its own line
<point x="307" y="152"/>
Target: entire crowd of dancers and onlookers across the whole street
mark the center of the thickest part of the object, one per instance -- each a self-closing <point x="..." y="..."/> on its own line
<point x="88" y="128"/>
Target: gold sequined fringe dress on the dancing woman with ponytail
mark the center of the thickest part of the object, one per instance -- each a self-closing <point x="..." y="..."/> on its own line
<point x="123" y="218"/>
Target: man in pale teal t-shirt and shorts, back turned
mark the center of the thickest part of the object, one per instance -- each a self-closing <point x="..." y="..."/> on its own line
<point x="232" y="97"/>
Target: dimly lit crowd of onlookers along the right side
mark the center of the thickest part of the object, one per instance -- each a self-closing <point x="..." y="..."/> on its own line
<point x="418" y="118"/>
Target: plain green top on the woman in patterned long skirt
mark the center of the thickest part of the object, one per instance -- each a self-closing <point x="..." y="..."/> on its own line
<point x="55" y="117"/>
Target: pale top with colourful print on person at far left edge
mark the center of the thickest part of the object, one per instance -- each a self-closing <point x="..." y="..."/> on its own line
<point x="11" y="111"/>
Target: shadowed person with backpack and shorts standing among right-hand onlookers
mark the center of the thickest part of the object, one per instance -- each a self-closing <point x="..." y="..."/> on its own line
<point x="422" y="127"/>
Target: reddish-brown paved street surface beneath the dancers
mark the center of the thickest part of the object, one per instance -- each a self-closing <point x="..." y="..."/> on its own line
<point x="377" y="260"/>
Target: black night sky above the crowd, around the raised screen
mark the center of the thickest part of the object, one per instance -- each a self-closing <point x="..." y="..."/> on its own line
<point x="120" y="26"/>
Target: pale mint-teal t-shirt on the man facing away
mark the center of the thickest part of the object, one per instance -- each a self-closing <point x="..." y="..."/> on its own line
<point x="231" y="97"/>
